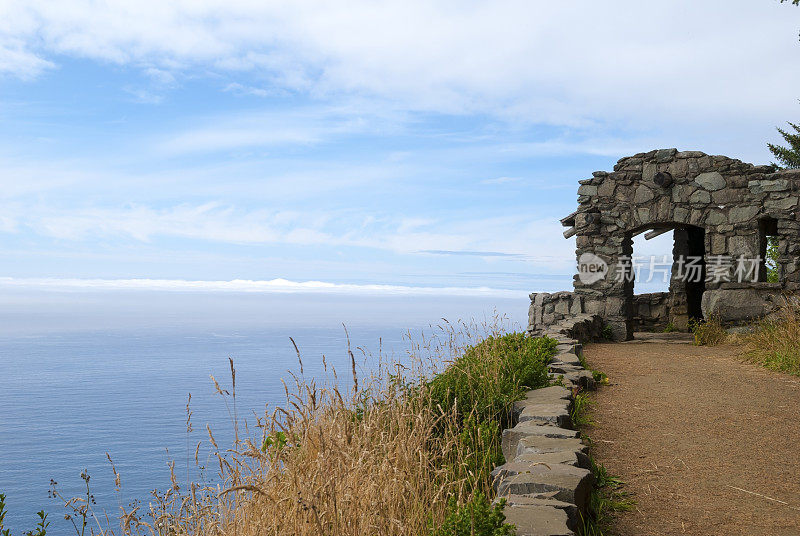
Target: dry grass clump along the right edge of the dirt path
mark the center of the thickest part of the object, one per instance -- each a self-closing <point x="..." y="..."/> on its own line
<point x="775" y="341"/>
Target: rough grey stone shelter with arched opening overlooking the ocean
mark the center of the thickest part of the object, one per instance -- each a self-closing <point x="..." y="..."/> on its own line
<point x="720" y="211"/>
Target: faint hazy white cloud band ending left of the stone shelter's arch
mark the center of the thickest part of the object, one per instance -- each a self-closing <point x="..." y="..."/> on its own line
<point x="214" y="222"/>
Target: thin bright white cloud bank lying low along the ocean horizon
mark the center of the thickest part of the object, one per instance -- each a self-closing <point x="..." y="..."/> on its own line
<point x="282" y="286"/>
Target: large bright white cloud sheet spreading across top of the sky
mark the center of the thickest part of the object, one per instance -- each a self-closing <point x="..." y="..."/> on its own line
<point x="565" y="63"/>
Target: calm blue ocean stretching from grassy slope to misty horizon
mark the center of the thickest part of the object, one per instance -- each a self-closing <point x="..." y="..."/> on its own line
<point x="70" y="394"/>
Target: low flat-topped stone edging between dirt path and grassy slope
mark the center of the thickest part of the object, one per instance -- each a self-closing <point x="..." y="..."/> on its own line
<point x="546" y="479"/>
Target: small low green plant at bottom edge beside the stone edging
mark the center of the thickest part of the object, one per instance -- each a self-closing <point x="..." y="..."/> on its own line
<point x="476" y="518"/>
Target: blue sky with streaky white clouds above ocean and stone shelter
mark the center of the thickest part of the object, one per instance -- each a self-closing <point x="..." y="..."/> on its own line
<point x="391" y="147"/>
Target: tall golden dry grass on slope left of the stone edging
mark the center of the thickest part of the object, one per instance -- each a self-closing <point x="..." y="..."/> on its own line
<point x="381" y="458"/>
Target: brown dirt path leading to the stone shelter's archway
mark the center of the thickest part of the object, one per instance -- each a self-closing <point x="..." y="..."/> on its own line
<point x="684" y="426"/>
